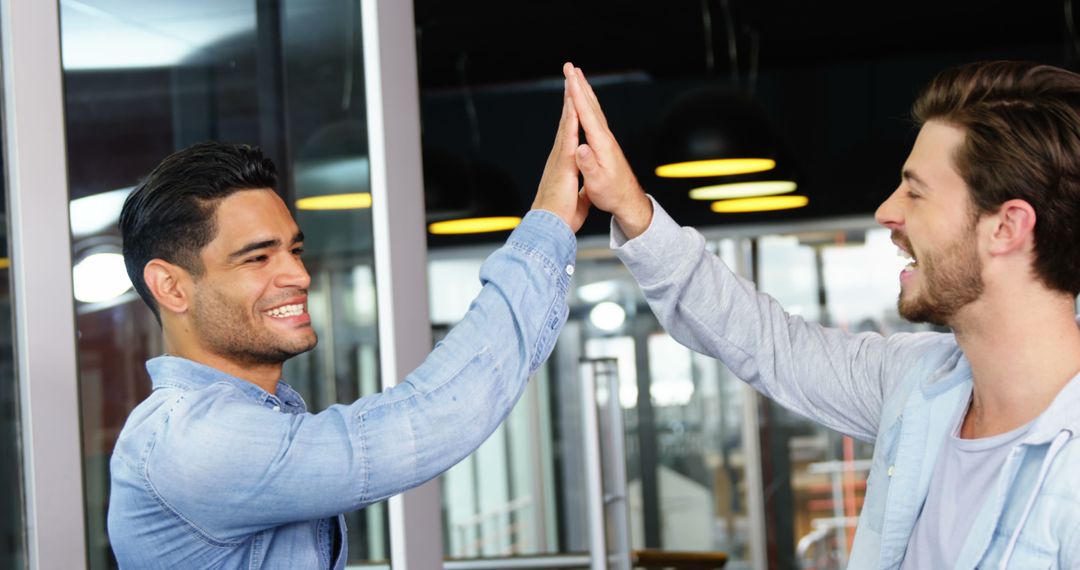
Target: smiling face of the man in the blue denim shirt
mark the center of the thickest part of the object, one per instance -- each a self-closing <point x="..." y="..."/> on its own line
<point x="250" y="306"/>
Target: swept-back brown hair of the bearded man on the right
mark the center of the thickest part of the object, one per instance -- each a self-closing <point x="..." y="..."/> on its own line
<point x="1022" y="127"/>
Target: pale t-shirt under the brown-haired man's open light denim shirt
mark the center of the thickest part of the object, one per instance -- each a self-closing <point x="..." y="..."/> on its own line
<point x="964" y="478"/>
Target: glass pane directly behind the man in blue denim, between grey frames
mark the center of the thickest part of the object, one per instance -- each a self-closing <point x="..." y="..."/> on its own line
<point x="145" y="79"/>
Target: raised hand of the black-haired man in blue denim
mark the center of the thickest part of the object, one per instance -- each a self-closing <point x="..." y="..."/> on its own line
<point x="559" y="185"/>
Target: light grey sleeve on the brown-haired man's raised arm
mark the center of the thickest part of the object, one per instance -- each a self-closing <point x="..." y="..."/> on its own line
<point x="835" y="378"/>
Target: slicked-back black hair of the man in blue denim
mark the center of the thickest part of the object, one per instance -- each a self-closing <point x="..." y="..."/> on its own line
<point x="171" y="214"/>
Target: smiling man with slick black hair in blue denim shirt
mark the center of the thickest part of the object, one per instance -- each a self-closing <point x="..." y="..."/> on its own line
<point x="222" y="467"/>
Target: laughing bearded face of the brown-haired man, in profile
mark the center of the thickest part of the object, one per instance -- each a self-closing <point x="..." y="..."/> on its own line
<point x="933" y="223"/>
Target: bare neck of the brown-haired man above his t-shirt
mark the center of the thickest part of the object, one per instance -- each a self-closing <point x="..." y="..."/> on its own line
<point x="1023" y="350"/>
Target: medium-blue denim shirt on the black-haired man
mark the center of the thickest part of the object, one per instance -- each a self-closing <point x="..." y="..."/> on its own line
<point x="214" y="472"/>
